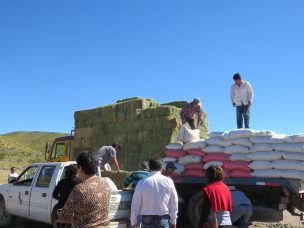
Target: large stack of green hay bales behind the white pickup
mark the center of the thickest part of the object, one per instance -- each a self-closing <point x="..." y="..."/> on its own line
<point x="143" y="126"/>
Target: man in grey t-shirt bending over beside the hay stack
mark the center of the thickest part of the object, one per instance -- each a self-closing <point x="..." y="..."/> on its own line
<point x="105" y="153"/>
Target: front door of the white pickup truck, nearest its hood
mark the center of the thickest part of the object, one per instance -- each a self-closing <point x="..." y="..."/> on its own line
<point x="20" y="191"/>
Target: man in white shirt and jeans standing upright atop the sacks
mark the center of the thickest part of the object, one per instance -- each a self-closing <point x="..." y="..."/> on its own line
<point x="241" y="95"/>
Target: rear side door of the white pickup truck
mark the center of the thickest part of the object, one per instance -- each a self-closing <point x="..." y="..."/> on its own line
<point x="41" y="196"/>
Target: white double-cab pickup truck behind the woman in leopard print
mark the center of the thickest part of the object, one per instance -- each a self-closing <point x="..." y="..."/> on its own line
<point x="30" y="196"/>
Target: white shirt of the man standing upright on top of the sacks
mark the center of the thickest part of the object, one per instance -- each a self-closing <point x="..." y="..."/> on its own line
<point x="241" y="94"/>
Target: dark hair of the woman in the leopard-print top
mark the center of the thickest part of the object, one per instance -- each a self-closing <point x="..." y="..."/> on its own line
<point x="88" y="162"/>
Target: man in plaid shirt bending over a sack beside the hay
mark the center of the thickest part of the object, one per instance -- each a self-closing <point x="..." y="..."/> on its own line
<point x="188" y="112"/>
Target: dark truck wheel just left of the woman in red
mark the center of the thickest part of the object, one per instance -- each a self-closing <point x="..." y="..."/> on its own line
<point x="194" y="208"/>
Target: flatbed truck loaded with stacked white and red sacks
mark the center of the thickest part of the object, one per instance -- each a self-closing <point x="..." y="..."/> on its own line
<point x="266" y="166"/>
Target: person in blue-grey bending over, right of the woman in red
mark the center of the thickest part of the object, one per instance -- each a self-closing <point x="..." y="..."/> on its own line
<point x="241" y="208"/>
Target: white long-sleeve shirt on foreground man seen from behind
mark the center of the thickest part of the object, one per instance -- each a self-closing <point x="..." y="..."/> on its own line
<point x="155" y="195"/>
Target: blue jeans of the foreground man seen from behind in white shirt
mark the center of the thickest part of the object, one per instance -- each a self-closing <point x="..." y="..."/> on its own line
<point x="155" y="221"/>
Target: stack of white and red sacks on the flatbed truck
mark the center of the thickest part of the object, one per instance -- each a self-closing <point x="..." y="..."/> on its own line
<point x="242" y="153"/>
